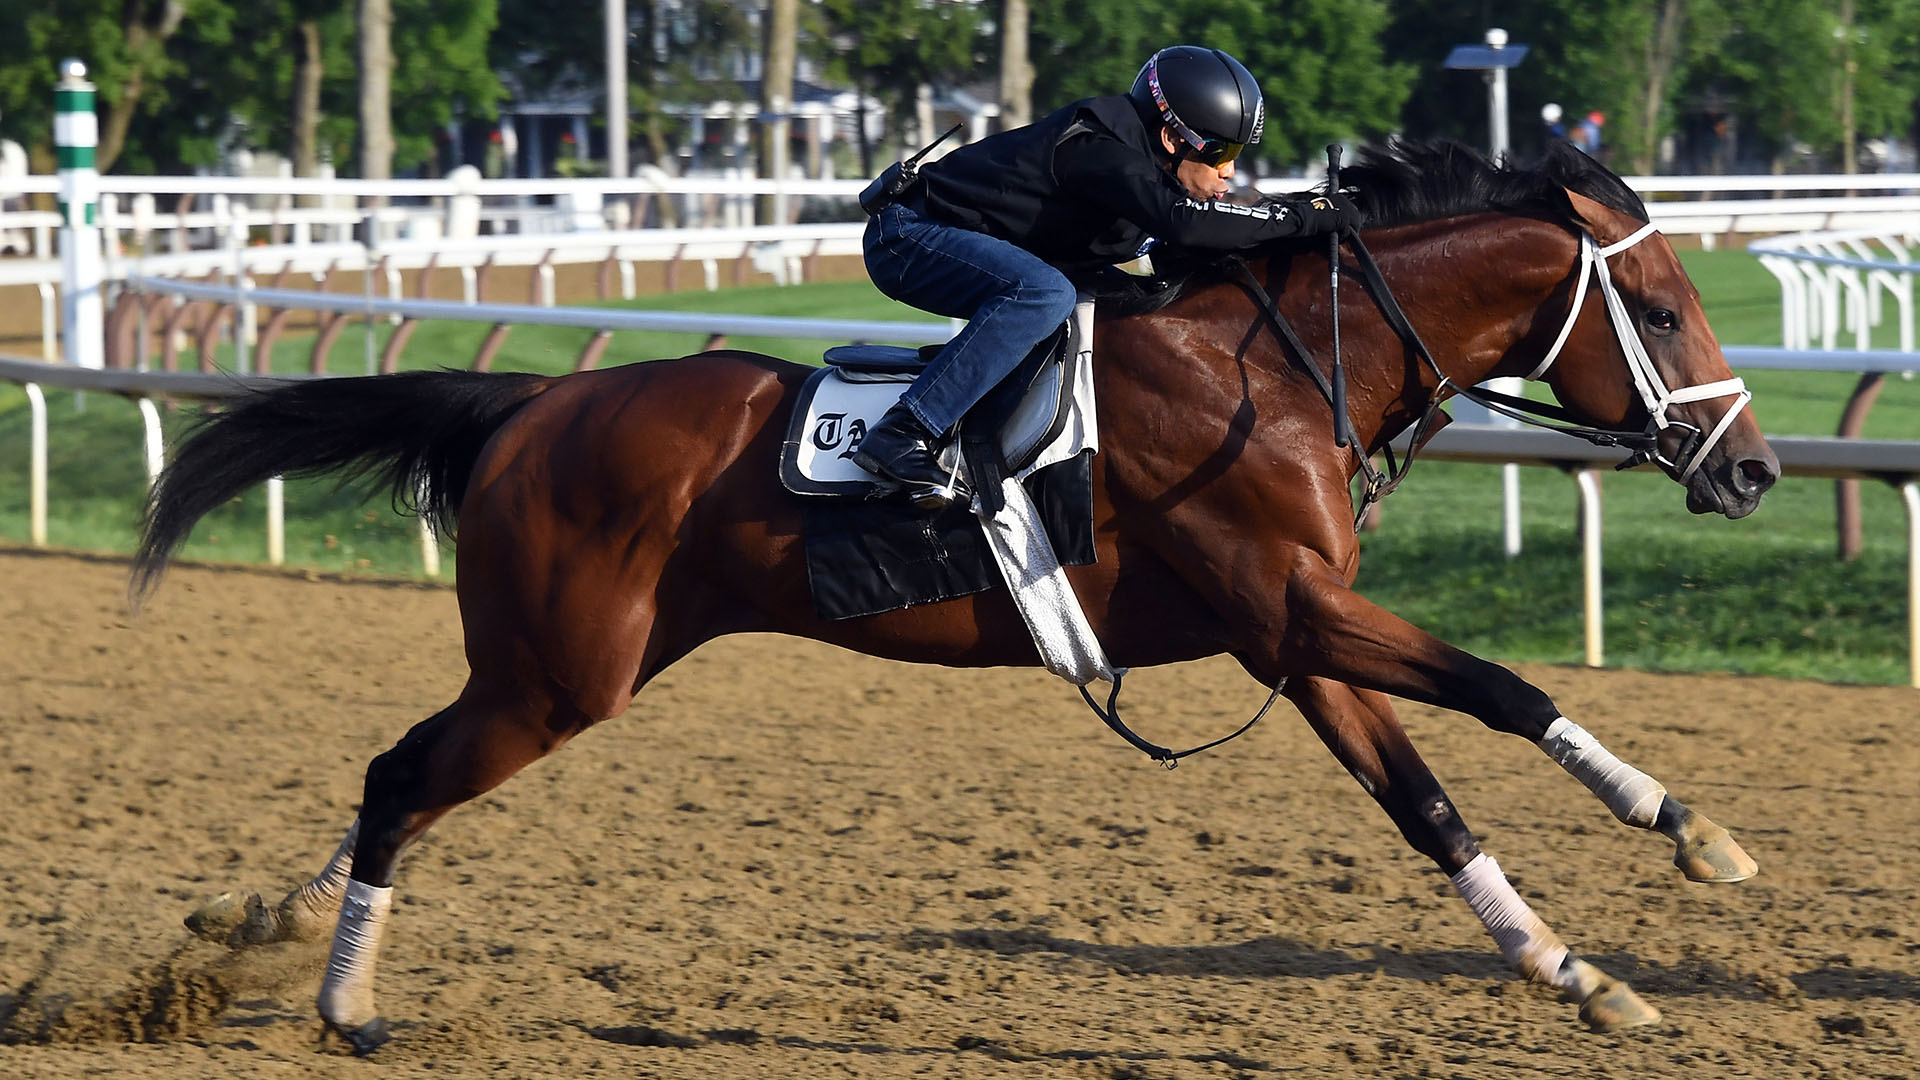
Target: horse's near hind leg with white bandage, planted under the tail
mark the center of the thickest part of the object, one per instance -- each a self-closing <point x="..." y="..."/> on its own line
<point x="444" y="762"/>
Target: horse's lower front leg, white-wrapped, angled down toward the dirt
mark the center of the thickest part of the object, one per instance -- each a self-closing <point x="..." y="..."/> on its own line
<point x="1362" y="731"/>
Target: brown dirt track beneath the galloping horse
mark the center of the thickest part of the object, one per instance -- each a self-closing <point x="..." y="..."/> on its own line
<point x="794" y="862"/>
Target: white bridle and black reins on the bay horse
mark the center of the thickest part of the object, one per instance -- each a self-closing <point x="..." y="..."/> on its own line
<point x="1648" y="383"/>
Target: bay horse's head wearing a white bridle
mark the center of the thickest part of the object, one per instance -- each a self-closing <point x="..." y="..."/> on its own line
<point x="1639" y="353"/>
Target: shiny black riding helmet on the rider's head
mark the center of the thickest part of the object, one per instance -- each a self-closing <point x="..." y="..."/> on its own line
<point x="1207" y="97"/>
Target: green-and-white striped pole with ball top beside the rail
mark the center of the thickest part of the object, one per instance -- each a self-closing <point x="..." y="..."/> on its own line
<point x="76" y="137"/>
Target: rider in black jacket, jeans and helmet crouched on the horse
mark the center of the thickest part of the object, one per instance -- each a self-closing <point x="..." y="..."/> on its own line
<point x="997" y="230"/>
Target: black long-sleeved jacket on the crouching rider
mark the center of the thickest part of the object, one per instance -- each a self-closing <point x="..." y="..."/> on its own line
<point x="1084" y="187"/>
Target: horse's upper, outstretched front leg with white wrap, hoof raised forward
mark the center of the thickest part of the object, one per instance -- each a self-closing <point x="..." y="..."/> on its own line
<point x="1335" y="631"/>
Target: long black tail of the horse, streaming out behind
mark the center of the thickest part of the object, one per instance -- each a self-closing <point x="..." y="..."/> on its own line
<point x="418" y="433"/>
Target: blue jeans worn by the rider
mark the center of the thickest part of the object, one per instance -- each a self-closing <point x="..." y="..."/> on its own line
<point x="1011" y="299"/>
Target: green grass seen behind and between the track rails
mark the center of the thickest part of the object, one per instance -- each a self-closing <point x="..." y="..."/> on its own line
<point x="1683" y="593"/>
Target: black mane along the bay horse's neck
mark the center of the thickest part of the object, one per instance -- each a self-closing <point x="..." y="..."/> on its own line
<point x="1401" y="184"/>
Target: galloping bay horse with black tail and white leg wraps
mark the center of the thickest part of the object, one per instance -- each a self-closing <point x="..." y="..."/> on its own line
<point x="612" y="522"/>
